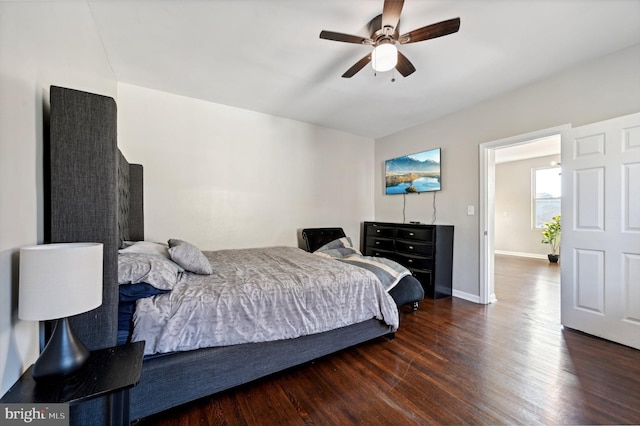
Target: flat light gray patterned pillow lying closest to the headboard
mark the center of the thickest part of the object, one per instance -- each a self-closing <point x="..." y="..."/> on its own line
<point x="148" y="268"/>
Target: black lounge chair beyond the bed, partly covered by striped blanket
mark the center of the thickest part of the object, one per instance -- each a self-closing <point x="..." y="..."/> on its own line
<point x="408" y="291"/>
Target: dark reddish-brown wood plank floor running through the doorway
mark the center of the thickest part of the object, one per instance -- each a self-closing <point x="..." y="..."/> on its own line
<point x="452" y="362"/>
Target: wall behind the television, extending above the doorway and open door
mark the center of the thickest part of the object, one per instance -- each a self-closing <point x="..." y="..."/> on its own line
<point x="605" y="88"/>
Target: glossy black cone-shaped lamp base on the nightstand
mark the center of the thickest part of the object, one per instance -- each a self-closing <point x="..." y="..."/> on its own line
<point x="64" y="354"/>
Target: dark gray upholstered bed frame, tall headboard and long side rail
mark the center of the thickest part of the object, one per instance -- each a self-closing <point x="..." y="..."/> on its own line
<point x="93" y="194"/>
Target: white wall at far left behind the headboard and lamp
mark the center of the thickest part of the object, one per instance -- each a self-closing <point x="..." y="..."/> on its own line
<point x="41" y="43"/>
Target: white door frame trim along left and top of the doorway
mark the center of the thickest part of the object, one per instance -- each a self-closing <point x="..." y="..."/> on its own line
<point x="487" y="204"/>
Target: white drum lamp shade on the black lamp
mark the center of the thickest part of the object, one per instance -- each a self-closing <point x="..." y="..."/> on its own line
<point x="59" y="280"/>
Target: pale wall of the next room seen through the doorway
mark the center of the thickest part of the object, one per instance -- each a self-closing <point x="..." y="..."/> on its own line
<point x="513" y="231"/>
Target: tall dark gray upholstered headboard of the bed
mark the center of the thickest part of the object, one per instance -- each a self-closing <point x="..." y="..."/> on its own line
<point x="87" y="199"/>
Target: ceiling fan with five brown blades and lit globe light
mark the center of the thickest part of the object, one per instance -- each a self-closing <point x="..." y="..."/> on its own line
<point x="385" y="36"/>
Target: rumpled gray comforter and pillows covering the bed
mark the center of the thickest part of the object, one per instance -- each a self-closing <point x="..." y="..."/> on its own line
<point x="243" y="296"/>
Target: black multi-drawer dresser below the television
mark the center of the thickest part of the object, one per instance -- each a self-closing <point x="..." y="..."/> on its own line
<point x="426" y="250"/>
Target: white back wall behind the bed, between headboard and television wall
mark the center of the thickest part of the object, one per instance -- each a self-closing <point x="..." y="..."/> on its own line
<point x="224" y="177"/>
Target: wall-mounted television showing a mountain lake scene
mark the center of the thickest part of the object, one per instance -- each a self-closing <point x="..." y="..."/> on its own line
<point x="413" y="173"/>
